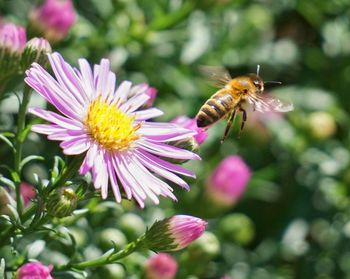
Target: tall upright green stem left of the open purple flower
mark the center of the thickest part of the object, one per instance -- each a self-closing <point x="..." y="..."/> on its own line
<point x="20" y="138"/>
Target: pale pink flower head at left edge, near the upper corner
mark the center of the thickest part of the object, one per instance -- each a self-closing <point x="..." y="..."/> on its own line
<point x="12" y="37"/>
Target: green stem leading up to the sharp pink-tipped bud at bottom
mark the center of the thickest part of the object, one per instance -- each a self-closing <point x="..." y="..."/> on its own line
<point x="110" y="256"/>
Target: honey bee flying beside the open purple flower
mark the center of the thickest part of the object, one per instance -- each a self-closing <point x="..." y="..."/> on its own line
<point x="233" y="93"/>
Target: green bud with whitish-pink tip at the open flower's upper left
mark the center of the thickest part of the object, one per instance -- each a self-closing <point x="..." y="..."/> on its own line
<point x="36" y="50"/>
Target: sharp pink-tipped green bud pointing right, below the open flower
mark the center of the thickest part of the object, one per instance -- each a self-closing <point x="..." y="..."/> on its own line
<point x="174" y="233"/>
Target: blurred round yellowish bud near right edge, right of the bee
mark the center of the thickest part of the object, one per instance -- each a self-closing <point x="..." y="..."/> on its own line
<point x="322" y="125"/>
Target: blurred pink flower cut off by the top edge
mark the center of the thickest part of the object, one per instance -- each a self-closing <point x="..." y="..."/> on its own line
<point x="54" y="18"/>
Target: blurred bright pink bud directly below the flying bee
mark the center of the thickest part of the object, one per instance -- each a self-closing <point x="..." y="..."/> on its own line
<point x="228" y="181"/>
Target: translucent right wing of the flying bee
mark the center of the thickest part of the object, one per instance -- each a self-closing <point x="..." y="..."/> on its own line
<point x="264" y="103"/>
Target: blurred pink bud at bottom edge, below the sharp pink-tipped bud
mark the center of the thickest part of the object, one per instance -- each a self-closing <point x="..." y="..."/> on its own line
<point x="161" y="266"/>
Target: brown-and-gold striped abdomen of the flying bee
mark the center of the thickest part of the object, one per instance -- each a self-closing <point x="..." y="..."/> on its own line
<point x="218" y="106"/>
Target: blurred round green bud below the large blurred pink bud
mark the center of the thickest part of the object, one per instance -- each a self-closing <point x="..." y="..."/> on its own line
<point x="237" y="228"/>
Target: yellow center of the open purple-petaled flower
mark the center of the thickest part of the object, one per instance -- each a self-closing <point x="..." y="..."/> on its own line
<point x="110" y="127"/>
